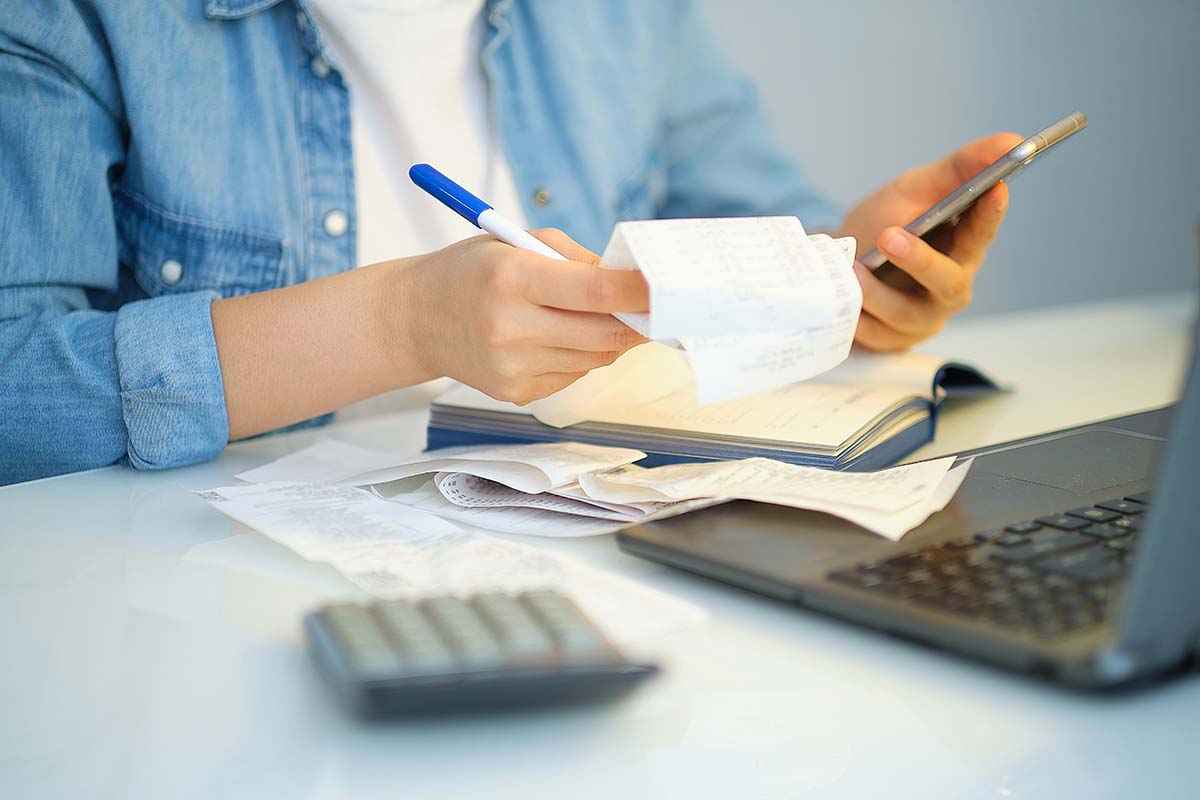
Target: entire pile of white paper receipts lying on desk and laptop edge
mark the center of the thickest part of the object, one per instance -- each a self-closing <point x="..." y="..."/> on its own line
<point x="407" y="526"/>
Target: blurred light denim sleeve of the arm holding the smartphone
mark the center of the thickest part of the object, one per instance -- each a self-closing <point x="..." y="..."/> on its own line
<point x="723" y="159"/>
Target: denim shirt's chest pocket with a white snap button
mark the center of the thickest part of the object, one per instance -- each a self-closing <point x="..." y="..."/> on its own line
<point x="173" y="254"/>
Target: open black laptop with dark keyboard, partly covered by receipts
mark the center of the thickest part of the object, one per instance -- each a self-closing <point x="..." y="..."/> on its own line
<point x="1063" y="556"/>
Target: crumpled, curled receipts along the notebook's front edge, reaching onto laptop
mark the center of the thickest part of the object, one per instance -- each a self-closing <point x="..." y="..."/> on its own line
<point x="577" y="490"/>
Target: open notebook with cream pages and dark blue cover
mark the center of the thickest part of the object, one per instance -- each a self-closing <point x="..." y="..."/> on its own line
<point x="866" y="414"/>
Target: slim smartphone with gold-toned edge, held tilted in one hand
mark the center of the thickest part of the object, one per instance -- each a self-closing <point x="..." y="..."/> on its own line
<point x="953" y="206"/>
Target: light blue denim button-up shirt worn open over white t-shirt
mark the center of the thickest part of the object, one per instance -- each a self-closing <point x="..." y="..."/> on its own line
<point x="159" y="155"/>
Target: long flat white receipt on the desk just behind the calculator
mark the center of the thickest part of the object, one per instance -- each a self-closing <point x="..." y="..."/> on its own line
<point x="394" y="551"/>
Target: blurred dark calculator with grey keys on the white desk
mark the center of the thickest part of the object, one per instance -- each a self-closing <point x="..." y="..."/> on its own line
<point x="449" y="654"/>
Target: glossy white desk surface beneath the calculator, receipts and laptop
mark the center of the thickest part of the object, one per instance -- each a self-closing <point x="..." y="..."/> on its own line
<point x="147" y="654"/>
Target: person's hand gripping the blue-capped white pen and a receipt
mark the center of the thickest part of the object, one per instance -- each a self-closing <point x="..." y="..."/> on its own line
<point x="514" y="324"/>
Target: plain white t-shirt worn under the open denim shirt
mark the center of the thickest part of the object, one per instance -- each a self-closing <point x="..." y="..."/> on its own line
<point x="418" y="94"/>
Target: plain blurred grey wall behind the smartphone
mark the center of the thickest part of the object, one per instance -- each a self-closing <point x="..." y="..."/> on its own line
<point x="861" y="91"/>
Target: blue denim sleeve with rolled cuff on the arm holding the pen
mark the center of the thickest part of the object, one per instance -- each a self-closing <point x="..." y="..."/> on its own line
<point x="82" y="388"/>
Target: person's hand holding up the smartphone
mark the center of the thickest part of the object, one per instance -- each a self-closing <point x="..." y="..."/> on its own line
<point x="943" y="270"/>
